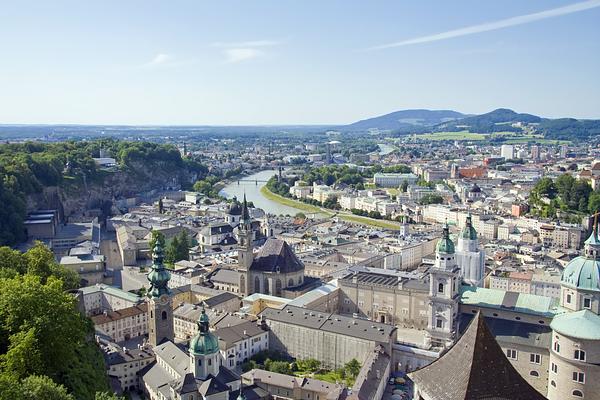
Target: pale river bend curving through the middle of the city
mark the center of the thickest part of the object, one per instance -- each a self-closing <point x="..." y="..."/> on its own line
<point x="251" y="188"/>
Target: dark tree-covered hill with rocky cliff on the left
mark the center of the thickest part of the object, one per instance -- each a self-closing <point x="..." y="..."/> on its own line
<point x="26" y="169"/>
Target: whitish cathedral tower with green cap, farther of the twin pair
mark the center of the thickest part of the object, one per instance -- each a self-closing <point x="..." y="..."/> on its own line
<point x="470" y="257"/>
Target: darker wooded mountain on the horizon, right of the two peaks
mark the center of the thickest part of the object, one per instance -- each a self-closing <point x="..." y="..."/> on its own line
<point x="495" y="121"/>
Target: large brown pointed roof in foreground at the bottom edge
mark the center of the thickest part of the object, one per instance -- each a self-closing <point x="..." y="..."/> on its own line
<point x="474" y="368"/>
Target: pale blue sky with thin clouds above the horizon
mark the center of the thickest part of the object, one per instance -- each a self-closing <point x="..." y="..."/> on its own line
<point x="144" y="62"/>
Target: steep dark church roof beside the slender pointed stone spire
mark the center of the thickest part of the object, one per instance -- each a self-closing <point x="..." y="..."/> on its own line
<point x="276" y="256"/>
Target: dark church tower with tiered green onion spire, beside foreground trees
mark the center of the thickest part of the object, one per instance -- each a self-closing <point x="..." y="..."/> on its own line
<point x="160" y="309"/>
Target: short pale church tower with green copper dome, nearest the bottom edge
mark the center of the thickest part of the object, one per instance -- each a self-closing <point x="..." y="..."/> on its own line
<point x="204" y="351"/>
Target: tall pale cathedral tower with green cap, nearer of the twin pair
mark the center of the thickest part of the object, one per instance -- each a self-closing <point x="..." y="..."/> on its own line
<point x="444" y="282"/>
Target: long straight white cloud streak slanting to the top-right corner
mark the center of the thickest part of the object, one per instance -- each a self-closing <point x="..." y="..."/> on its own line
<point x="491" y="26"/>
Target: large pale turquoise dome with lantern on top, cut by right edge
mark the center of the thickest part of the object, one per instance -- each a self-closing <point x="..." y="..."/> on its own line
<point x="583" y="272"/>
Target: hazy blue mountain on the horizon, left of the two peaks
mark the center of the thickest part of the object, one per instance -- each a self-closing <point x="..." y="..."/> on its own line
<point x="405" y="120"/>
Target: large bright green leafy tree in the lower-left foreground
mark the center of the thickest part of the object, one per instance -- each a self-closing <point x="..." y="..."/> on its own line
<point x="42" y="333"/>
